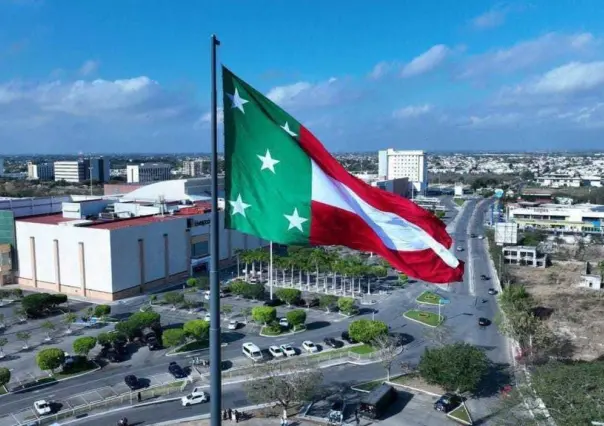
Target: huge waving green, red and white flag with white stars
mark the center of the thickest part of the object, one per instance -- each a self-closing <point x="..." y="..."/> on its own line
<point x="282" y="185"/>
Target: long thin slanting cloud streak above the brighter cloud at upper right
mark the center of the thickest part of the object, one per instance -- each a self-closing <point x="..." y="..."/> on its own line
<point x="528" y="54"/>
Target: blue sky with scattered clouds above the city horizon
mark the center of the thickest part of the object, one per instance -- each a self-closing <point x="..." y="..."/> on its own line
<point x="133" y="75"/>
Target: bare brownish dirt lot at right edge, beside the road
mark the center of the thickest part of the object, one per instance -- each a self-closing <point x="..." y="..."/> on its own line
<point x="577" y="314"/>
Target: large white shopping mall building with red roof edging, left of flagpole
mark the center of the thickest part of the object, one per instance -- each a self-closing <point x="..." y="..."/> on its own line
<point x="112" y="247"/>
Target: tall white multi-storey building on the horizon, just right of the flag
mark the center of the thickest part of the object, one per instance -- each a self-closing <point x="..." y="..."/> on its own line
<point x="404" y="164"/>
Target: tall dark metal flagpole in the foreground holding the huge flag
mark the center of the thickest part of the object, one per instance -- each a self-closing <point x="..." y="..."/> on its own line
<point x="215" y="355"/>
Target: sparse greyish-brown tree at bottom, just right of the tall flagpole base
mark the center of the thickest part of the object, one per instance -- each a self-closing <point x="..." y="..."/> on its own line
<point x="284" y="384"/>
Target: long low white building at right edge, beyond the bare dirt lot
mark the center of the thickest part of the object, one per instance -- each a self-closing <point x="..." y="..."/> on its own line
<point x="573" y="218"/>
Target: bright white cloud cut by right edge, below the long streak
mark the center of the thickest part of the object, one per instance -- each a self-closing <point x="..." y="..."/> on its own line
<point x="574" y="77"/>
